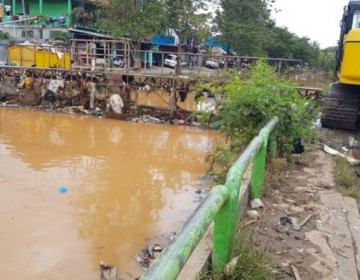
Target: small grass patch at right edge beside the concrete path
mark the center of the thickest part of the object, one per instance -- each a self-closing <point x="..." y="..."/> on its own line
<point x="346" y="179"/>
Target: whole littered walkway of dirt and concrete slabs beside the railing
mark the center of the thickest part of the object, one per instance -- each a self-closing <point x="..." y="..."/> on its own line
<point x="326" y="247"/>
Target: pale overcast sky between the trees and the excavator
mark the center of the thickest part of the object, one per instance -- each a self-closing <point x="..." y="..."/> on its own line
<point x="317" y="19"/>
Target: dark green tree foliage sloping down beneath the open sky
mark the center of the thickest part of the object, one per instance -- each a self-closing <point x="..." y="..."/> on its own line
<point x="246" y="25"/>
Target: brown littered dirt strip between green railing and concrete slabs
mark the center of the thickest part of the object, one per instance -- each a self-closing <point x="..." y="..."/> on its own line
<point x="287" y="204"/>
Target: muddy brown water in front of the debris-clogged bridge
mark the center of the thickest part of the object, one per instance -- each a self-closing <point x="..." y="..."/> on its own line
<point x="128" y="184"/>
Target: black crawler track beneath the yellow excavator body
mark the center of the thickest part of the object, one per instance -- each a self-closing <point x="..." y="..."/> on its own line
<point x="341" y="107"/>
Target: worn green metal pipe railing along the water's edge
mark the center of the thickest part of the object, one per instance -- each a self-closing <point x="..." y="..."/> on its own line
<point x="221" y="205"/>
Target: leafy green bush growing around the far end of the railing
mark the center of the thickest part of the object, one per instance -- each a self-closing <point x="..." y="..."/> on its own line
<point x="249" y="101"/>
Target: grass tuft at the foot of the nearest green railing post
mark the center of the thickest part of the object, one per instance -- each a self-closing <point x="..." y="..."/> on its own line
<point x="252" y="263"/>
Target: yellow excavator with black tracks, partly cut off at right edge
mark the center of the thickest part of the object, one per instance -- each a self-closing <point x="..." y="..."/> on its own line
<point x="341" y="104"/>
